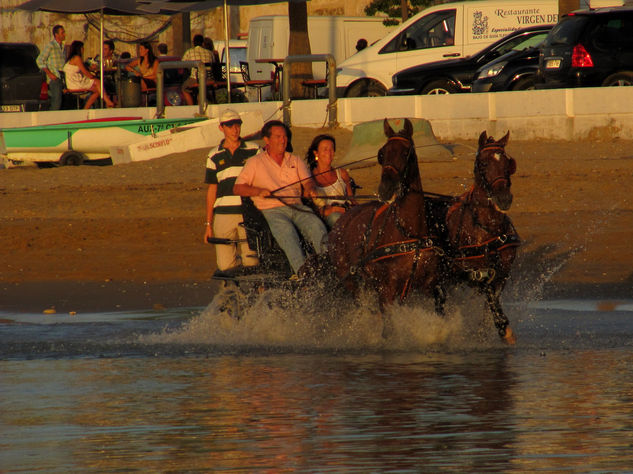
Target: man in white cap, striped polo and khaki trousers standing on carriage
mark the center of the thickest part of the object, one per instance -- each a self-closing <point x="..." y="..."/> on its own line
<point x="224" y="208"/>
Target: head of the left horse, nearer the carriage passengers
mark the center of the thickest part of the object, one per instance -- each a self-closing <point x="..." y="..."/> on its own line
<point x="399" y="163"/>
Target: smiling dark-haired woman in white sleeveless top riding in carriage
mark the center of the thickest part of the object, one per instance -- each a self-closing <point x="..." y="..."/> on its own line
<point x="329" y="181"/>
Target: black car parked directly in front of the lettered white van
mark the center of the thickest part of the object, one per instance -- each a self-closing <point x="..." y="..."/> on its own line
<point x="456" y="75"/>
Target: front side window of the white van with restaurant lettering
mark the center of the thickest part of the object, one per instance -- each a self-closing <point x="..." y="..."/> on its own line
<point x="430" y="31"/>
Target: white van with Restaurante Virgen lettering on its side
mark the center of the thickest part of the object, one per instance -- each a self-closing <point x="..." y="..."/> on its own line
<point x="450" y="30"/>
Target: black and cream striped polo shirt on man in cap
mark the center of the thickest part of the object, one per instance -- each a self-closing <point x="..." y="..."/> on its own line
<point x="222" y="169"/>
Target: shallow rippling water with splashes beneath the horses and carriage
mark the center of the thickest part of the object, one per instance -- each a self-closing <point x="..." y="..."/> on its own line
<point x="289" y="388"/>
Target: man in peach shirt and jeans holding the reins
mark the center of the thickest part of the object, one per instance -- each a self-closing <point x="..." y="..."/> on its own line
<point x="274" y="170"/>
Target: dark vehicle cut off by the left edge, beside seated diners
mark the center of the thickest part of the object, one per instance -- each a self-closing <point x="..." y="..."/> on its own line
<point x="20" y="79"/>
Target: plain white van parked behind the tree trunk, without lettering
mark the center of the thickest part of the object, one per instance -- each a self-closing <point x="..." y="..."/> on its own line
<point x="337" y="35"/>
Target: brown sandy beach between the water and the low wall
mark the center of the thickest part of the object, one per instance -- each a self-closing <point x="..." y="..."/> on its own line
<point x="108" y="238"/>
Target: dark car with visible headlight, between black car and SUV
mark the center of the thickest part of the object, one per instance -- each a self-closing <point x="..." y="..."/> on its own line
<point x="514" y="71"/>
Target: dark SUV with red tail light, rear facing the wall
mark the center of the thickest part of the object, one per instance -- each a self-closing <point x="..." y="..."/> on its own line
<point x="589" y="48"/>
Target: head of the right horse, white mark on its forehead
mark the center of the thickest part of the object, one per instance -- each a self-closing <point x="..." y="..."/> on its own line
<point x="493" y="168"/>
